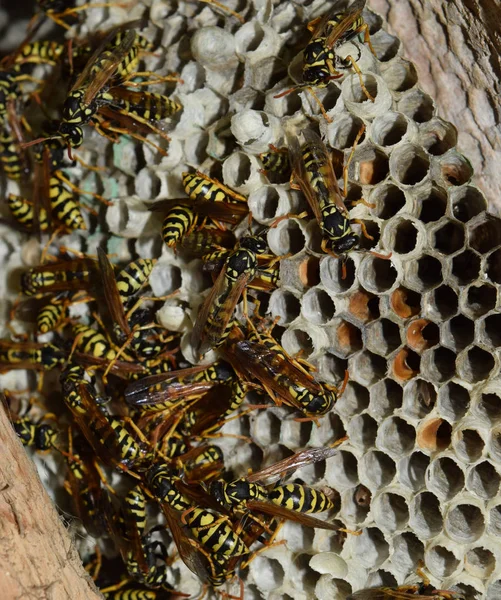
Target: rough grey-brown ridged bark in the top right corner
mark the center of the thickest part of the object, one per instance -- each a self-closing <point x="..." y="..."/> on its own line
<point x="456" y="47"/>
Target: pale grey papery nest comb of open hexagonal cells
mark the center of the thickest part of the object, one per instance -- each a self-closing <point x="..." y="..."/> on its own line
<point x="419" y="332"/>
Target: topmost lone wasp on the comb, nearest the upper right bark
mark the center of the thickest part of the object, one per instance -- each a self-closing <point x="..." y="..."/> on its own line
<point x="320" y="60"/>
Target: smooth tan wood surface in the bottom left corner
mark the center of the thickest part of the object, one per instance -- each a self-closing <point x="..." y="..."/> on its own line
<point x="38" y="560"/>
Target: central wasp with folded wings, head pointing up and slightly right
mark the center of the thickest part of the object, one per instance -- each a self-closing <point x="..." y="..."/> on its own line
<point x="214" y="318"/>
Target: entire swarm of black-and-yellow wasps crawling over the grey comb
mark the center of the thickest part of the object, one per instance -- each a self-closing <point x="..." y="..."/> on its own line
<point x="129" y="403"/>
